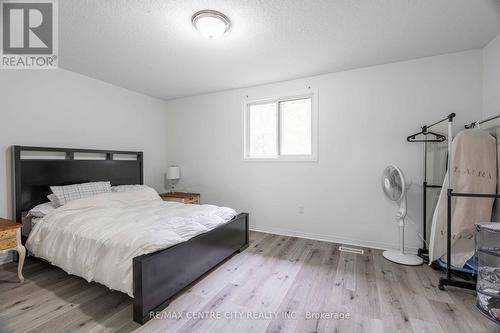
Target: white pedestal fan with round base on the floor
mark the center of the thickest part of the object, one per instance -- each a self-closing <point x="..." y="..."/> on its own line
<point x="395" y="186"/>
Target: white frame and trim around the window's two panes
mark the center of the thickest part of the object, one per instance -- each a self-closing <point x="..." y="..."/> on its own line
<point x="309" y="93"/>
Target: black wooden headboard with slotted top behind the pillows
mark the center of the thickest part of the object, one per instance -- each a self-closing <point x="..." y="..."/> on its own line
<point x="34" y="176"/>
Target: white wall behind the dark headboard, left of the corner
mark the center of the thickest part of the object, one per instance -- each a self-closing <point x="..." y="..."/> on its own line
<point x="58" y="108"/>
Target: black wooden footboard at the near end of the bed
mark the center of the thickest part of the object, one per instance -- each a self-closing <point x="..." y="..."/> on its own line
<point x="161" y="275"/>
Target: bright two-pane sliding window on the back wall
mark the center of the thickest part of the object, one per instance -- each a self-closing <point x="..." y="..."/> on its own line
<point x="281" y="129"/>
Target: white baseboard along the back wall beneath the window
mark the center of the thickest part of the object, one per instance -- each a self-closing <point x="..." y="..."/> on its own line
<point x="331" y="239"/>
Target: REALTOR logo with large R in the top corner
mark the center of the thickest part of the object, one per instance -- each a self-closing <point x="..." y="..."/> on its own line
<point x="29" y="34"/>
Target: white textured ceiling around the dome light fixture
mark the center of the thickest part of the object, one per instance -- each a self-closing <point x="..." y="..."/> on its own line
<point x="150" y="46"/>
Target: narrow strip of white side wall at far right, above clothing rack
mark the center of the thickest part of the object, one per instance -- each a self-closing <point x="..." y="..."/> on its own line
<point x="491" y="78"/>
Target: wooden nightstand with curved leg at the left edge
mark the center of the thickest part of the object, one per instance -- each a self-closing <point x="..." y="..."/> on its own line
<point x="10" y="239"/>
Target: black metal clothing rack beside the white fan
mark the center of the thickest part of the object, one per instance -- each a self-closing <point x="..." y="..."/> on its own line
<point x="423" y="252"/>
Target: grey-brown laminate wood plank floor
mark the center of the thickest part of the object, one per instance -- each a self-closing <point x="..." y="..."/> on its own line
<point x="279" y="284"/>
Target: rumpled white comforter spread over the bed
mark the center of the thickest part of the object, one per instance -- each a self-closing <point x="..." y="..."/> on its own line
<point x="97" y="237"/>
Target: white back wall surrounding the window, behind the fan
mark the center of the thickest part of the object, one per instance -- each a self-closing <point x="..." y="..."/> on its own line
<point x="365" y="116"/>
